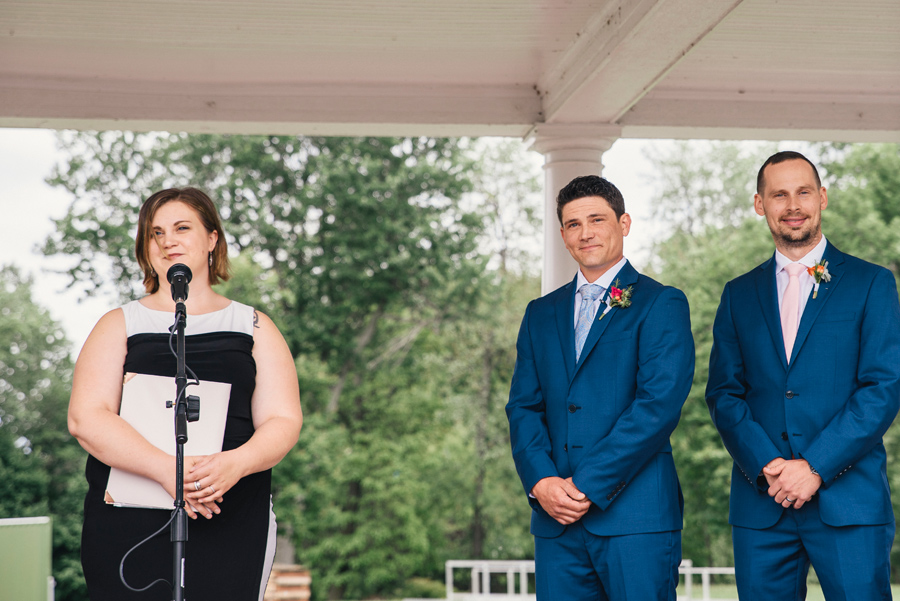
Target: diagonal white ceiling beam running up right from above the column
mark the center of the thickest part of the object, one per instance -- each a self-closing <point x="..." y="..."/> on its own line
<point x="622" y="53"/>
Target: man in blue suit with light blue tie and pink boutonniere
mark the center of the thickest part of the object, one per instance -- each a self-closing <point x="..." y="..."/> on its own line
<point x="604" y="366"/>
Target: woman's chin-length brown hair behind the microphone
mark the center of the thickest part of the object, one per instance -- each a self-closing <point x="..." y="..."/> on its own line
<point x="219" y="271"/>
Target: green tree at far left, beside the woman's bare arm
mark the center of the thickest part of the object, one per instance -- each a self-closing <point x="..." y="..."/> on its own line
<point x="40" y="464"/>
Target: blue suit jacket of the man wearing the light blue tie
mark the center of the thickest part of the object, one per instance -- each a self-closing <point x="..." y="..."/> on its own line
<point x="605" y="420"/>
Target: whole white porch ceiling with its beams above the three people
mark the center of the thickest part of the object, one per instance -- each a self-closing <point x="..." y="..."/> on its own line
<point x="777" y="69"/>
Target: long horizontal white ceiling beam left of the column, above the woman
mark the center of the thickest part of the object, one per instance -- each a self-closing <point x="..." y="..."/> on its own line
<point x="322" y="109"/>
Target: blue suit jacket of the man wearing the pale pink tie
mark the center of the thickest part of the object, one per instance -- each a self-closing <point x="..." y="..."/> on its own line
<point x="831" y="405"/>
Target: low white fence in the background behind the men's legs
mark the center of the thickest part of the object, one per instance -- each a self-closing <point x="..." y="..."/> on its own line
<point x="517" y="573"/>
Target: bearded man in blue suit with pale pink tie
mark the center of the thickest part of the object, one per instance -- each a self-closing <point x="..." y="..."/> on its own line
<point x="804" y="380"/>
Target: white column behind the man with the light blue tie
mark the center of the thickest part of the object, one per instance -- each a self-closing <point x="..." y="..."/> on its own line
<point x="570" y="150"/>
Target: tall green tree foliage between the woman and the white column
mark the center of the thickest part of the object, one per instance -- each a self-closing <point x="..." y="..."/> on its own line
<point x="370" y="254"/>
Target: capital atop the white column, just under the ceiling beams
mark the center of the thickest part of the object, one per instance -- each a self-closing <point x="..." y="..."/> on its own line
<point x="583" y="141"/>
